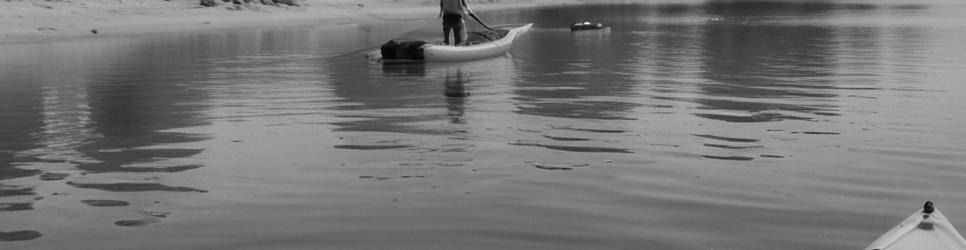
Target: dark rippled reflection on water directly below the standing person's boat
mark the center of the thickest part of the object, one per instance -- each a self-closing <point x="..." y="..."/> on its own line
<point x="383" y="94"/>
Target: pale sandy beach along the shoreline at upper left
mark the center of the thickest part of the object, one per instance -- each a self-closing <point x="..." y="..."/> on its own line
<point x="23" y="20"/>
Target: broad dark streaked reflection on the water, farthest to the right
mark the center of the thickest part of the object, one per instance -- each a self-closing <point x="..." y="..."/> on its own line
<point x="762" y="73"/>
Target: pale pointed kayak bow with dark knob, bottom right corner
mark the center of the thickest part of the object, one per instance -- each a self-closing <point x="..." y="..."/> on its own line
<point x="924" y="229"/>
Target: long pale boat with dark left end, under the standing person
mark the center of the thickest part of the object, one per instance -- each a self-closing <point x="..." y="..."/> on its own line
<point x="481" y="45"/>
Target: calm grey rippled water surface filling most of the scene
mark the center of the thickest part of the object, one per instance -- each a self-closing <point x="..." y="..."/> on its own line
<point x="720" y="126"/>
